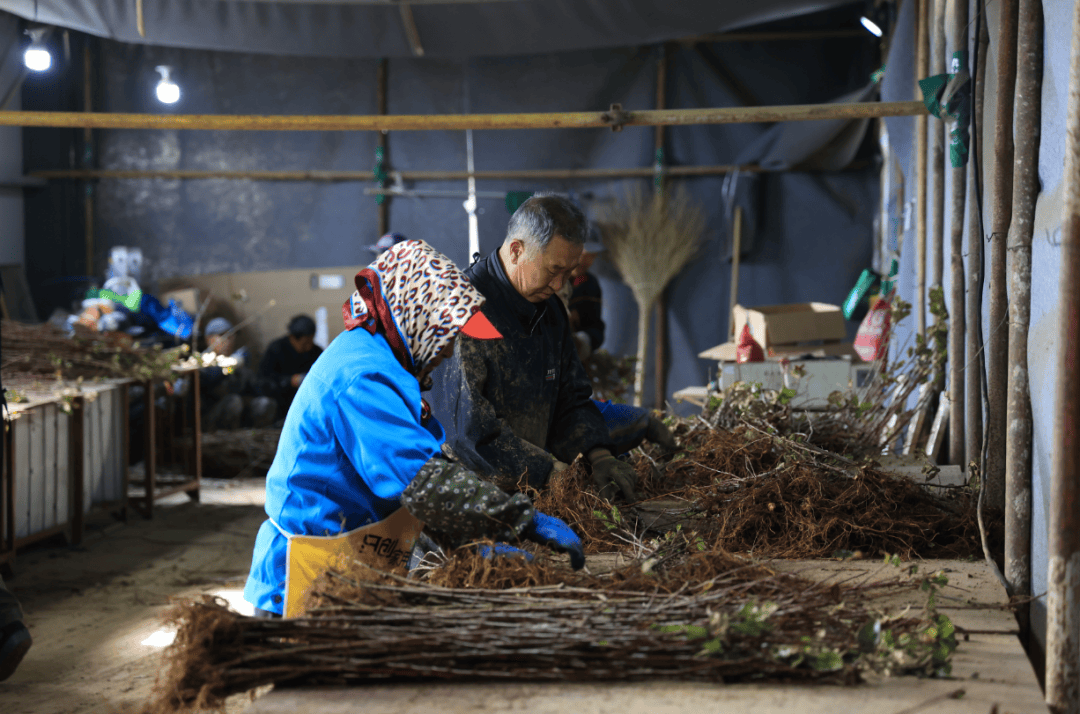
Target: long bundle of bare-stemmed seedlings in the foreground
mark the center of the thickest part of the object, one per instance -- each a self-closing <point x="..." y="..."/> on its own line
<point x="682" y="615"/>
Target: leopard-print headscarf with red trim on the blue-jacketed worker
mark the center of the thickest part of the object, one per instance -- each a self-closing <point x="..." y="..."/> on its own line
<point x="416" y="298"/>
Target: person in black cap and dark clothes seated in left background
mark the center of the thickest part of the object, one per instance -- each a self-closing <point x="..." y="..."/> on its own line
<point x="229" y="395"/>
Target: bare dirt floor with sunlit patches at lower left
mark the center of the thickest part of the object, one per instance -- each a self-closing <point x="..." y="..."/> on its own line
<point x="94" y="611"/>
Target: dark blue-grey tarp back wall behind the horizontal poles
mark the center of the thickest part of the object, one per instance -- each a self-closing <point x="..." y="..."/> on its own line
<point x="814" y="230"/>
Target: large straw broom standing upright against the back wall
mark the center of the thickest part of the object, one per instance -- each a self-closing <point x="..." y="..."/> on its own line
<point x="651" y="238"/>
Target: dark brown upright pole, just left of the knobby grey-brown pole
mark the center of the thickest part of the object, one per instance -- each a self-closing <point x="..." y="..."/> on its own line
<point x="997" y="354"/>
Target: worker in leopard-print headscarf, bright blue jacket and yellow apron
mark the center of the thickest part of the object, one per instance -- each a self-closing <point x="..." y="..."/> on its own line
<point x="359" y="469"/>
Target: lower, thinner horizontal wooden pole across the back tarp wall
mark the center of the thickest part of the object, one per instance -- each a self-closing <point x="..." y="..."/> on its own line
<point x="529" y="174"/>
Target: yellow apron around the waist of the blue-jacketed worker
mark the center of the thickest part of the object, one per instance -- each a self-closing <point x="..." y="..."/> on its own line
<point x="385" y="546"/>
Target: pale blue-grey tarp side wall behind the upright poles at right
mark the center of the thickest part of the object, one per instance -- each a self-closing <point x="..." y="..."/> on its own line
<point x="1044" y="338"/>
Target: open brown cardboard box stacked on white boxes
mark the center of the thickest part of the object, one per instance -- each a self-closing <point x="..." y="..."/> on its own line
<point x="789" y="325"/>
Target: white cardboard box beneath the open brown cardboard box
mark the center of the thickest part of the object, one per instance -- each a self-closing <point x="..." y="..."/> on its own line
<point x="819" y="379"/>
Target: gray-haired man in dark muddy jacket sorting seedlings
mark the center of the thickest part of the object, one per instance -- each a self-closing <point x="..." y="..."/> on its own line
<point x="517" y="409"/>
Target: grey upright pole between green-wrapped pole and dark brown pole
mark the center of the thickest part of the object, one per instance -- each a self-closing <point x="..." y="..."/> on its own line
<point x="975" y="358"/>
